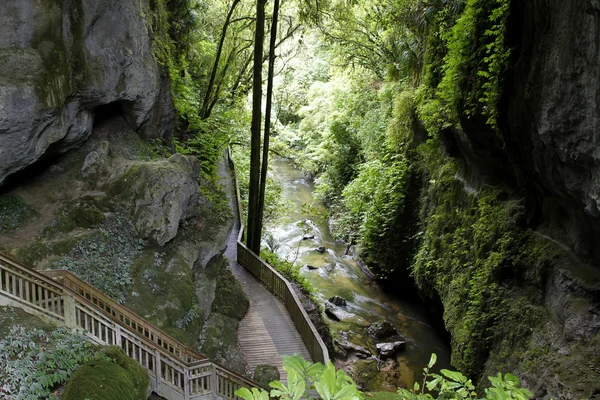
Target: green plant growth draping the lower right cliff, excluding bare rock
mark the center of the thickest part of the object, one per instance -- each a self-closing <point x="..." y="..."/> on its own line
<point x="471" y="247"/>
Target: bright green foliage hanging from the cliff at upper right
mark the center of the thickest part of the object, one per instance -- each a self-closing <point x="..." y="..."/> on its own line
<point x="473" y="67"/>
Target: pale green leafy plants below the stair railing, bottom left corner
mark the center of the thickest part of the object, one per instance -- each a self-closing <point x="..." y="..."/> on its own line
<point x="33" y="361"/>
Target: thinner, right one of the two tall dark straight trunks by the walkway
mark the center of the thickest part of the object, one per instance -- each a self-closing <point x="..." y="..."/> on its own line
<point x="263" y="174"/>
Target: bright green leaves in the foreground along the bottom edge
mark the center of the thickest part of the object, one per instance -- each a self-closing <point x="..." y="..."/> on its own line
<point x="330" y="384"/>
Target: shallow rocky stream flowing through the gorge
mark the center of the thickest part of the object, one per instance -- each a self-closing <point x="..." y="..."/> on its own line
<point x="339" y="275"/>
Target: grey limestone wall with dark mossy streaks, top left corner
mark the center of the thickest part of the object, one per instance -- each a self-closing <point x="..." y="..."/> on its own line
<point x="62" y="59"/>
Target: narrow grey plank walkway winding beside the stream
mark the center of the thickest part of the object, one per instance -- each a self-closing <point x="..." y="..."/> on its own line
<point x="267" y="332"/>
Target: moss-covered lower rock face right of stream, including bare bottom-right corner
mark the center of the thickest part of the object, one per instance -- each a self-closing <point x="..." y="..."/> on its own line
<point x="513" y="300"/>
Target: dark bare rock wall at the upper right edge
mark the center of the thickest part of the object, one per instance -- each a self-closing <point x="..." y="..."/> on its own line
<point x="553" y="114"/>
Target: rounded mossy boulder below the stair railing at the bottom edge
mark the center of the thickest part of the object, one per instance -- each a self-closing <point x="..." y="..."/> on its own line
<point x="116" y="377"/>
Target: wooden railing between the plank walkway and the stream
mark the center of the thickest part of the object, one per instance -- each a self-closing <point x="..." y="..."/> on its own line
<point x="279" y="286"/>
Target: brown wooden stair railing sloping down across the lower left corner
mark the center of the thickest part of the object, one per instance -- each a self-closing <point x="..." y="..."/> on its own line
<point x="176" y="371"/>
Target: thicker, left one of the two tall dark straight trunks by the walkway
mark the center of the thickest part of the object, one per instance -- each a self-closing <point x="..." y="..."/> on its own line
<point x="252" y="241"/>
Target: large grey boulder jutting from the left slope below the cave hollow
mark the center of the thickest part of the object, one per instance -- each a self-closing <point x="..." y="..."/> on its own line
<point x="159" y="195"/>
